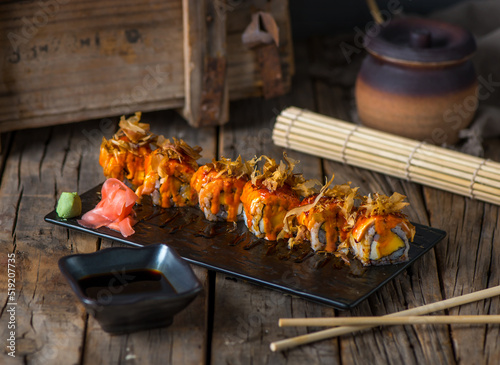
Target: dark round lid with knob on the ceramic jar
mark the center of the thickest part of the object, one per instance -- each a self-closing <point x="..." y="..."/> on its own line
<point x="418" y="40"/>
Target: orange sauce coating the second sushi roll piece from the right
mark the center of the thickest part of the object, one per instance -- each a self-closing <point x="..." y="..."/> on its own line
<point x="327" y="212"/>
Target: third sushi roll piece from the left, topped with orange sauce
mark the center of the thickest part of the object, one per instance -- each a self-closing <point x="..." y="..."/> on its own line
<point x="219" y="185"/>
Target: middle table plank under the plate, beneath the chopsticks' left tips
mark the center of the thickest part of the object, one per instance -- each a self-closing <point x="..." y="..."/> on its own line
<point x="245" y="315"/>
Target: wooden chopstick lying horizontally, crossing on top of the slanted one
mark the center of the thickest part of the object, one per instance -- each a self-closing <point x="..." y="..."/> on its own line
<point x="384" y="320"/>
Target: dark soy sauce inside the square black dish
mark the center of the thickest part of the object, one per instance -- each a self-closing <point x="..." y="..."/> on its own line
<point x="102" y="287"/>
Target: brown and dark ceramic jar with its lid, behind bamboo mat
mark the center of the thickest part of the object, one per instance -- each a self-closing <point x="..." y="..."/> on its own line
<point x="418" y="80"/>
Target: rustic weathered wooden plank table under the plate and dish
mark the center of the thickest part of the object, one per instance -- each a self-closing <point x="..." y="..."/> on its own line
<point x="232" y="321"/>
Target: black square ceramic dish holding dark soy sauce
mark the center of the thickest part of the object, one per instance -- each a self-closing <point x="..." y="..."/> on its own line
<point x="123" y="311"/>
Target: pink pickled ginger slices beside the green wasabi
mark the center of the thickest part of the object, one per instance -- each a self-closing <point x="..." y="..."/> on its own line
<point x="114" y="210"/>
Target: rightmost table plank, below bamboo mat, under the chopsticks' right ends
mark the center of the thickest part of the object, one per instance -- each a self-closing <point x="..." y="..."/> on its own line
<point x="466" y="262"/>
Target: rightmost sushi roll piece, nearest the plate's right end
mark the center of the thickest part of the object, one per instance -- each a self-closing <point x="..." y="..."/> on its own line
<point x="381" y="234"/>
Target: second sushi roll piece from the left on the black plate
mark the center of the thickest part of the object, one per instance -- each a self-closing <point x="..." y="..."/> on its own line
<point x="168" y="174"/>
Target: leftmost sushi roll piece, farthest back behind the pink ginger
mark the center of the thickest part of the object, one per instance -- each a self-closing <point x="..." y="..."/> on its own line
<point x="124" y="155"/>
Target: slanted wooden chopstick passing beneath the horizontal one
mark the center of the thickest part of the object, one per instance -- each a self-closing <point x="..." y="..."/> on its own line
<point x="424" y="309"/>
